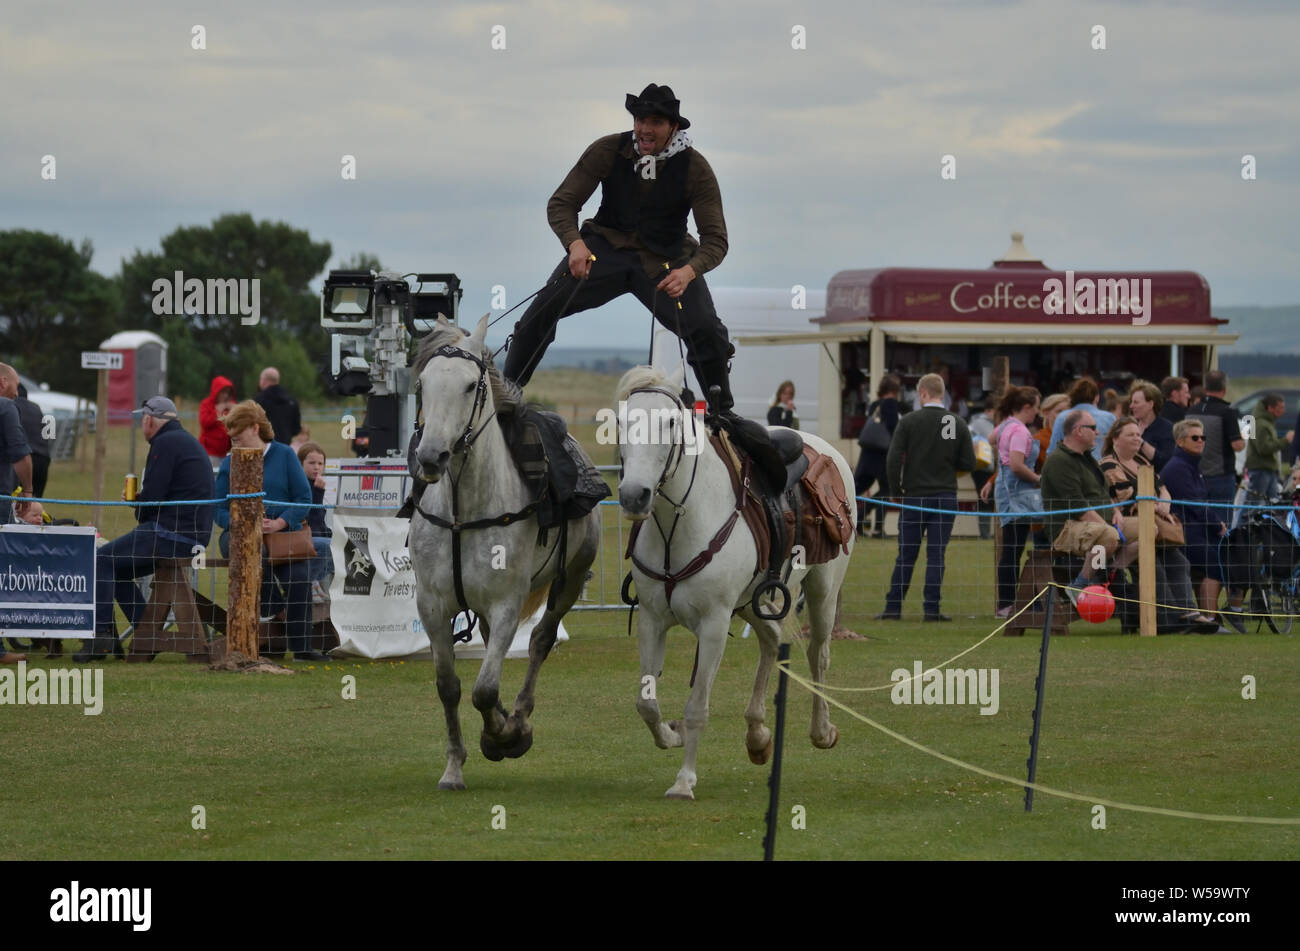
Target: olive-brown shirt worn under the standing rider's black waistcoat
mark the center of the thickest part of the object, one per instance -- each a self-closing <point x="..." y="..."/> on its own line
<point x="595" y="167"/>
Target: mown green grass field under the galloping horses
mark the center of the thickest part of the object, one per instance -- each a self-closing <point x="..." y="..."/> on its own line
<point x="287" y="768"/>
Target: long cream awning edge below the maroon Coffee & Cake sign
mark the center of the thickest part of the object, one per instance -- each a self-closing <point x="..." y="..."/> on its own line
<point x="943" y="332"/>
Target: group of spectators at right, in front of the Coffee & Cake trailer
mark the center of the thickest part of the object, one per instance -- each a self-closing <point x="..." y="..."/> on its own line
<point x="1067" y="472"/>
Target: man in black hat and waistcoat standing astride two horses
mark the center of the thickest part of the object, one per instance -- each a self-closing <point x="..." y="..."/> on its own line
<point x="638" y="242"/>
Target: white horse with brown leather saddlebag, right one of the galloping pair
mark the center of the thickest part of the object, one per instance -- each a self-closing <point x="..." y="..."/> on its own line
<point x="664" y="477"/>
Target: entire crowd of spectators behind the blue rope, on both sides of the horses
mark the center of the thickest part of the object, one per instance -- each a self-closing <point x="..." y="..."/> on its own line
<point x="1065" y="474"/>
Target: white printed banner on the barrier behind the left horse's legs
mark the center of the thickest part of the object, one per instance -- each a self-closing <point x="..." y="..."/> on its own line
<point x="372" y="597"/>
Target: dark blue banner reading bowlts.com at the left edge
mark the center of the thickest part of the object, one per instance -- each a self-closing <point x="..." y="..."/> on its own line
<point x="47" y="581"/>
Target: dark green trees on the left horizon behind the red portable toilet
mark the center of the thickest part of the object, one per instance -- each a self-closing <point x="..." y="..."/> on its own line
<point x="53" y="306"/>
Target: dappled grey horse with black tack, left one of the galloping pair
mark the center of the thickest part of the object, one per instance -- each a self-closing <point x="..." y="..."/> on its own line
<point x="500" y="571"/>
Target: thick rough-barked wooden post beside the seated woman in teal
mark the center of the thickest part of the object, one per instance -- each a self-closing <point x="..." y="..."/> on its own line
<point x="245" y="593"/>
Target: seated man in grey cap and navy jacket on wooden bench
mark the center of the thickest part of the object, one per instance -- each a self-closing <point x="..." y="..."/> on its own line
<point x="177" y="470"/>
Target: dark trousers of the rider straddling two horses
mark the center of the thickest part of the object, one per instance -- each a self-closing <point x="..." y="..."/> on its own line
<point x="614" y="275"/>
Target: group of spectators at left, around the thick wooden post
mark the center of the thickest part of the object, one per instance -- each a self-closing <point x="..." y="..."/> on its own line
<point x="184" y="468"/>
